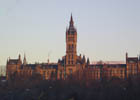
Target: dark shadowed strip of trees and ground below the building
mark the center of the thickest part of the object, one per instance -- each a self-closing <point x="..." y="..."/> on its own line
<point x="36" y="89"/>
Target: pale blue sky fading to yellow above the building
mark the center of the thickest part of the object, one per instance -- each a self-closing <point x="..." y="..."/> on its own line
<point x="107" y="29"/>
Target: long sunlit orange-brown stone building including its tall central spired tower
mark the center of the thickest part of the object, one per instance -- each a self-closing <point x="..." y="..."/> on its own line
<point x="72" y="66"/>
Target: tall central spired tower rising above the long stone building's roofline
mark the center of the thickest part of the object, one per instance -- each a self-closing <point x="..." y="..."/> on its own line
<point x="71" y="44"/>
